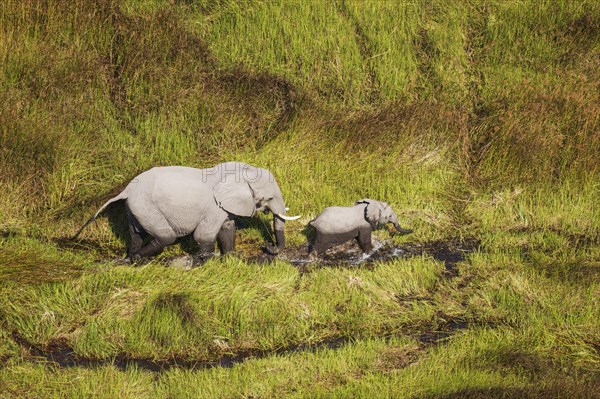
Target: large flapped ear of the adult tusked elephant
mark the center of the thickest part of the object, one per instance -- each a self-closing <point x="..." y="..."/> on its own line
<point x="235" y="197"/>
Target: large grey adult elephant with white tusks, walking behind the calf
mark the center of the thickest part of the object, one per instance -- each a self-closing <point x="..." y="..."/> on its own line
<point x="174" y="201"/>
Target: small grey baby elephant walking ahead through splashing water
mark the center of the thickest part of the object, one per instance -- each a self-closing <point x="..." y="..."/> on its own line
<point x="338" y="224"/>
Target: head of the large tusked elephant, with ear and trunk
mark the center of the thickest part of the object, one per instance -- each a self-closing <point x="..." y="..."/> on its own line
<point x="244" y="189"/>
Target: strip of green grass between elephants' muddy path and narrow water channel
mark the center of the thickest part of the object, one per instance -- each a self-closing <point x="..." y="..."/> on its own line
<point x="152" y="313"/>
